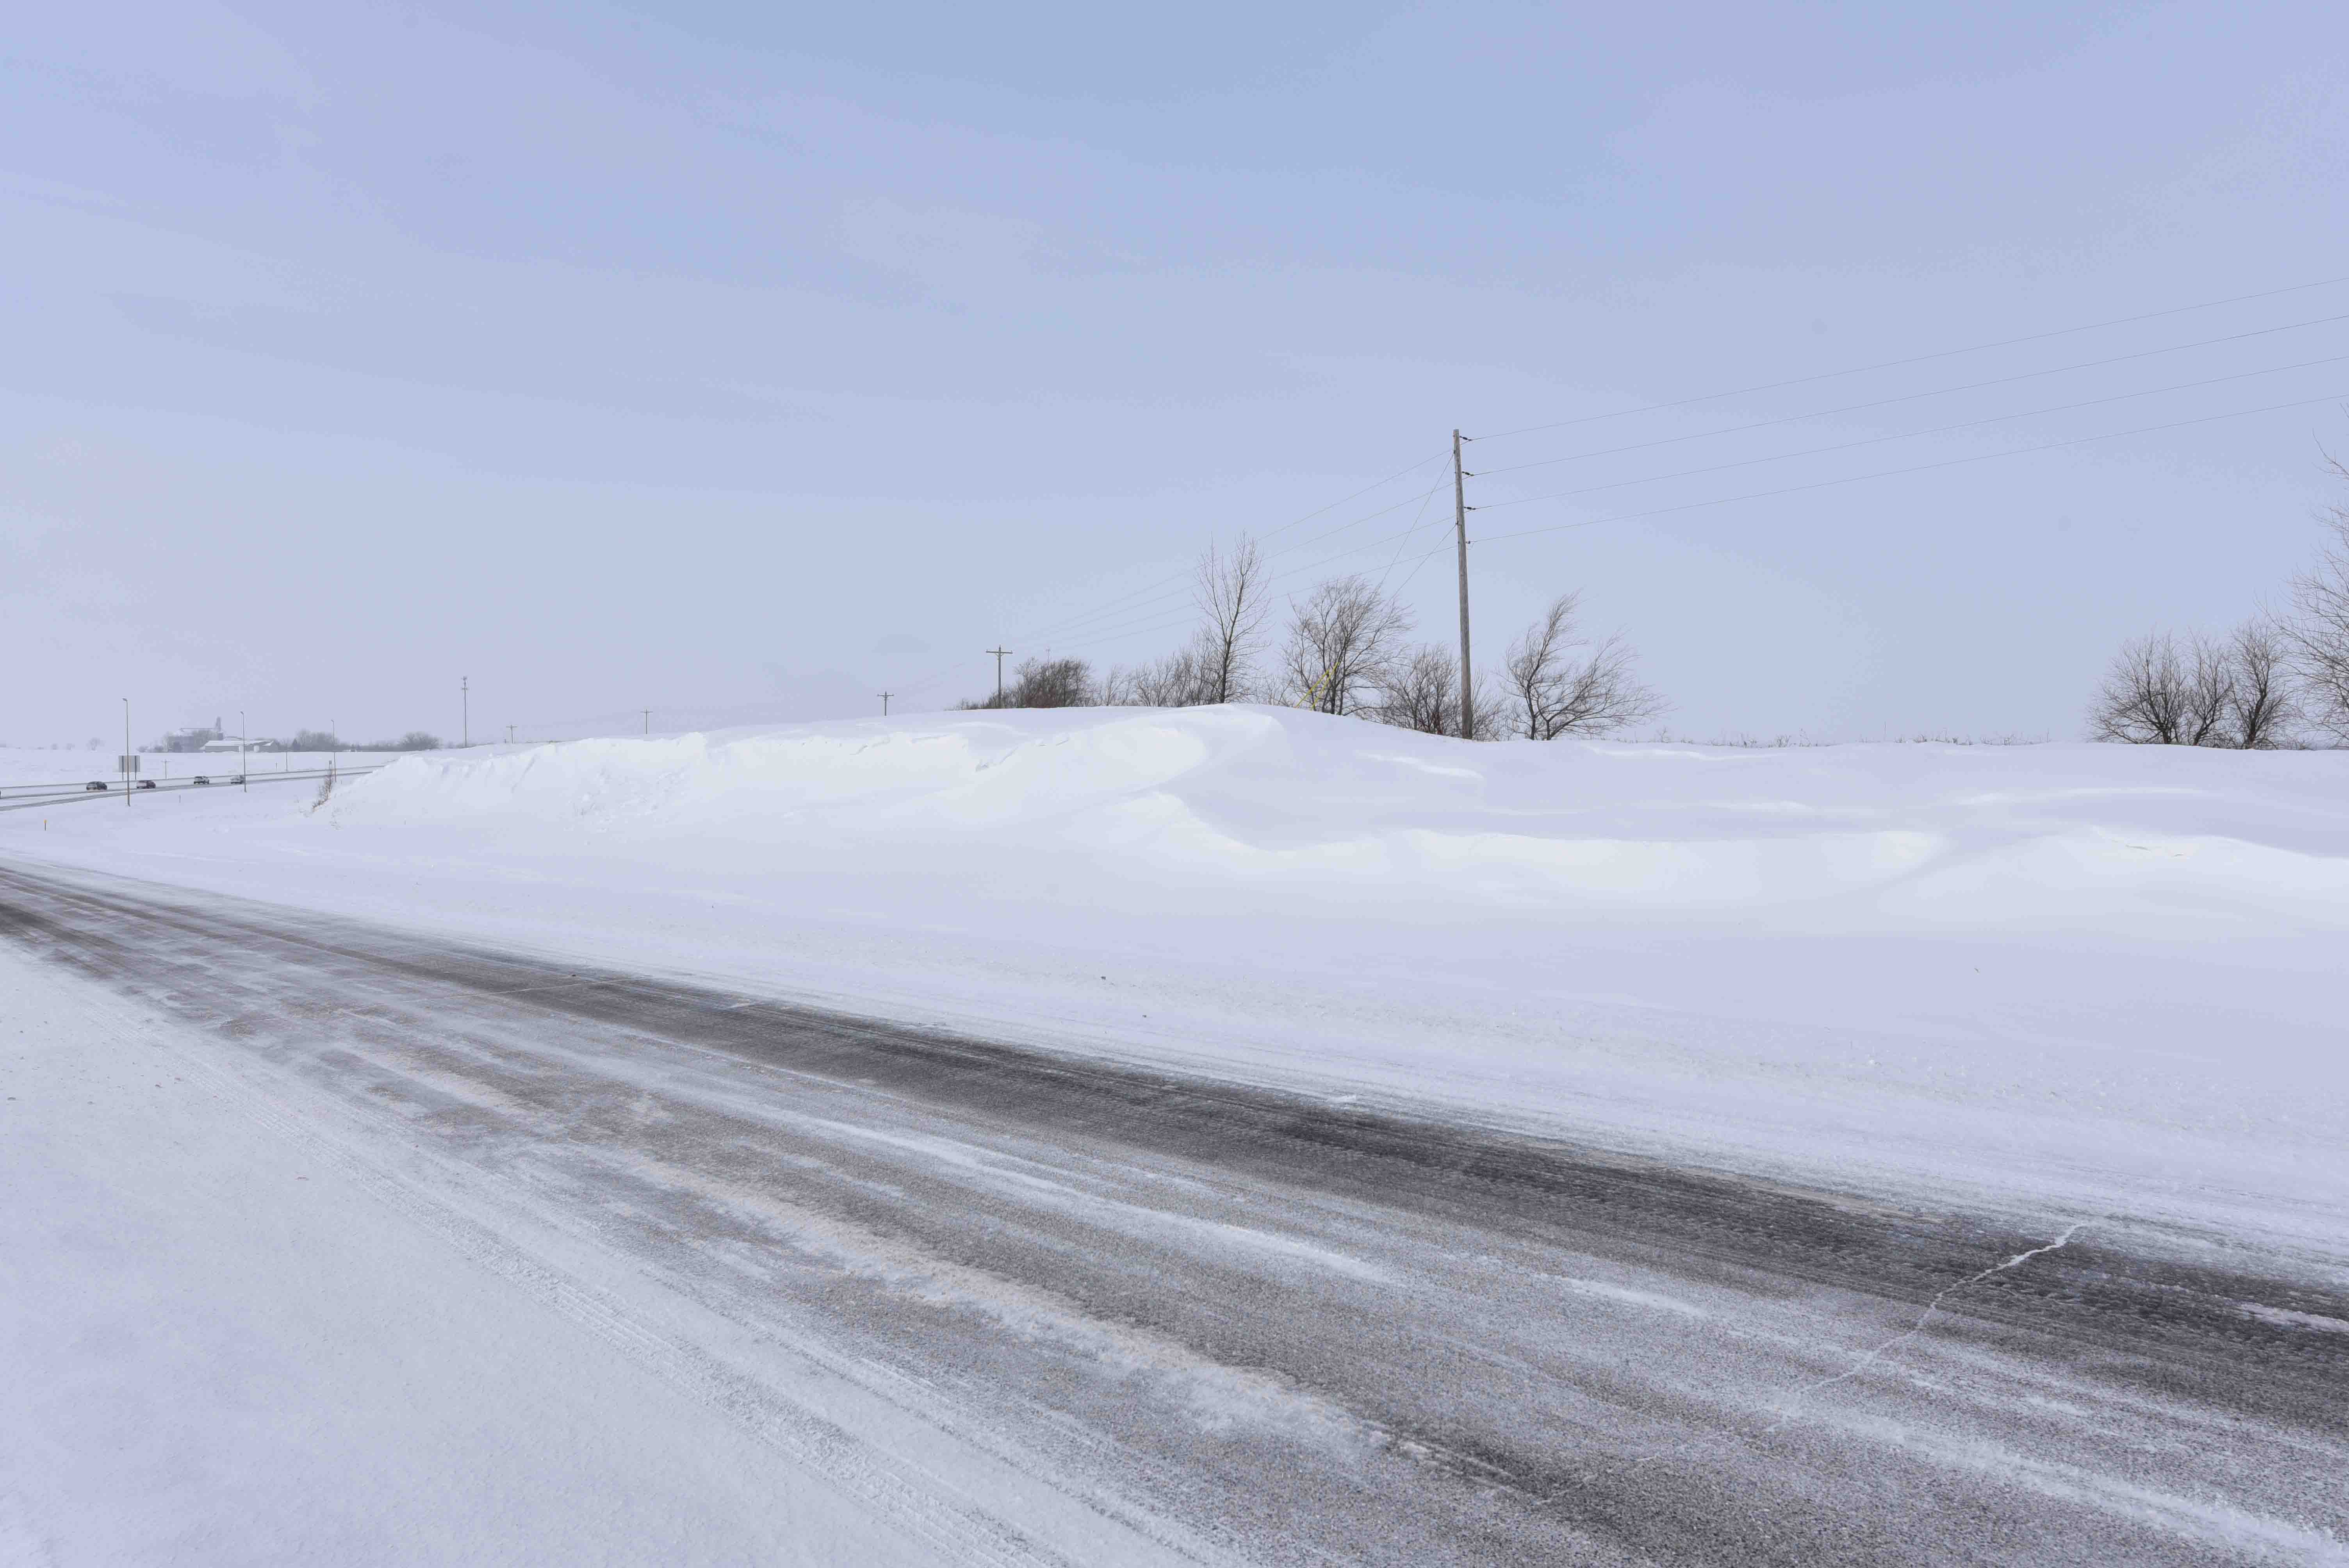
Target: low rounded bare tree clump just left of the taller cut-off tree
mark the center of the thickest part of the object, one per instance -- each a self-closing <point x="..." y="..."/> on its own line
<point x="2197" y="691"/>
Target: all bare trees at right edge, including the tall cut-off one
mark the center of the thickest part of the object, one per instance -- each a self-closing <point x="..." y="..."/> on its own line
<point x="2280" y="680"/>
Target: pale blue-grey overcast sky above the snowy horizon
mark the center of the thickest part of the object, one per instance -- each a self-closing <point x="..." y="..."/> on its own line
<point x="708" y="356"/>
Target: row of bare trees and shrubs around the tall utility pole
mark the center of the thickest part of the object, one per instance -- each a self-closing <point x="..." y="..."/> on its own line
<point x="1347" y="649"/>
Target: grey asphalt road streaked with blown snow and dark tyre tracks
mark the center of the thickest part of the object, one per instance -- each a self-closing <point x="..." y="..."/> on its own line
<point x="1032" y="1309"/>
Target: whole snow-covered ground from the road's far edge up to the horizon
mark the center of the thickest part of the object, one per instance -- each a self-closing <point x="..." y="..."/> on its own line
<point x="2078" y="978"/>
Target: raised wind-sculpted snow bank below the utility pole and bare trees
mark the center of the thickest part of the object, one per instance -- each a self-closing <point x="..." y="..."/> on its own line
<point x="1298" y="809"/>
